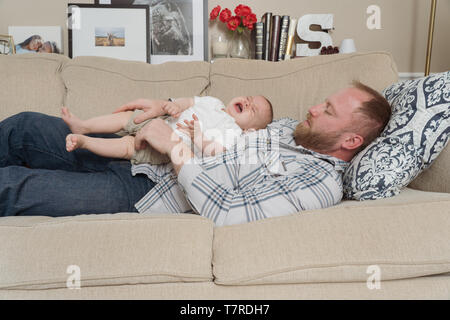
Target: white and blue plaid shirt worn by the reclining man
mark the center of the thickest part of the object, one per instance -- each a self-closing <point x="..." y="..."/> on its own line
<point x="264" y="175"/>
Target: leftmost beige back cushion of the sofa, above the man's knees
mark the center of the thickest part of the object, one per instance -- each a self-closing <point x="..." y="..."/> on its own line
<point x="31" y="82"/>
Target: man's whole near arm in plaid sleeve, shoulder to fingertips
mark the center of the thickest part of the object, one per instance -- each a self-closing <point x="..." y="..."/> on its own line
<point x="256" y="196"/>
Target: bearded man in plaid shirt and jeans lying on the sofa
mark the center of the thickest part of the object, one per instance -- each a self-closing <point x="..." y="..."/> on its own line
<point x="39" y="178"/>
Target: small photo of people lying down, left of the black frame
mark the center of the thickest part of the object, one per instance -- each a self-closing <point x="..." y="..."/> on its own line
<point x="37" y="39"/>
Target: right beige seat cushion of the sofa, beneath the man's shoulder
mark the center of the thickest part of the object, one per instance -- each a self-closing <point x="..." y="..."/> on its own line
<point x="336" y="245"/>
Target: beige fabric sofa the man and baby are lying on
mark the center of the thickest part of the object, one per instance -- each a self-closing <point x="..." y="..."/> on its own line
<point x="322" y="254"/>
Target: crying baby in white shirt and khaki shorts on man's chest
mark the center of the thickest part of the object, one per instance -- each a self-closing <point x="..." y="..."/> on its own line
<point x="220" y="126"/>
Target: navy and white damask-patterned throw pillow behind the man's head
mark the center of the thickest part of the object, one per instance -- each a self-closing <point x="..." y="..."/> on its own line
<point x="417" y="132"/>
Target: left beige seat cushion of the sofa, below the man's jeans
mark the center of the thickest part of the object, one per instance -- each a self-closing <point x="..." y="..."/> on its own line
<point x="109" y="249"/>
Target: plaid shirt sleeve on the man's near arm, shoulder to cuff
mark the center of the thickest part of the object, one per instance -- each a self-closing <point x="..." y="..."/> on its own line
<point x="212" y="197"/>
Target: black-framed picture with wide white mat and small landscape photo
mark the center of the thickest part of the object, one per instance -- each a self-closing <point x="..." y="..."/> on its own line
<point x="114" y="31"/>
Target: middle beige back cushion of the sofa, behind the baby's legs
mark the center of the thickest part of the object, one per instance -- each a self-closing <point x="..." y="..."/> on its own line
<point x="97" y="85"/>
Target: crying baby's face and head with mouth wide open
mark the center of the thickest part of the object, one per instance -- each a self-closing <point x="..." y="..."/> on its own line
<point x="252" y="112"/>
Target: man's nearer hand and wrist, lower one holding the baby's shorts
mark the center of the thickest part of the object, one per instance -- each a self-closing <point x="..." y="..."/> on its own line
<point x="163" y="139"/>
